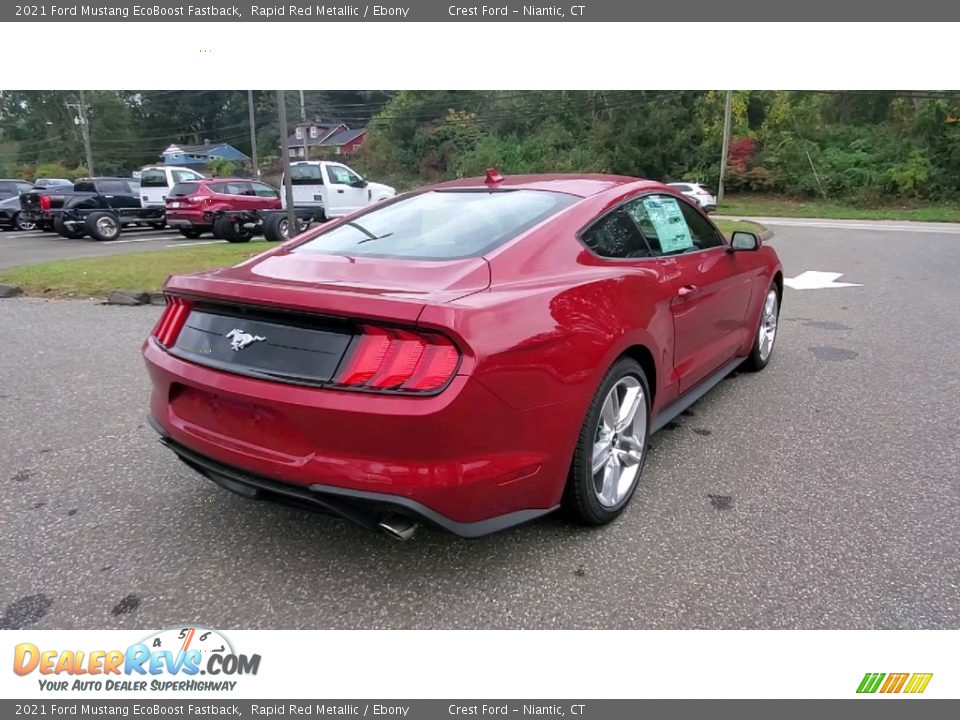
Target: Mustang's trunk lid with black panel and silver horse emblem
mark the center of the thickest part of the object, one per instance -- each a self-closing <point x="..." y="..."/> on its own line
<point x="293" y="318"/>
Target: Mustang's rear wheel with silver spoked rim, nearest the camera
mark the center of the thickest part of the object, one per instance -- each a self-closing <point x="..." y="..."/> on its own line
<point x="615" y="434"/>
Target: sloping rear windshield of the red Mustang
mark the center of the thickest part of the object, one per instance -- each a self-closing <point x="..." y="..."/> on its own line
<point x="440" y="225"/>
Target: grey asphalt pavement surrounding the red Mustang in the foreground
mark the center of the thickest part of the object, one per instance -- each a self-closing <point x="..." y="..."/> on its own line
<point x="821" y="493"/>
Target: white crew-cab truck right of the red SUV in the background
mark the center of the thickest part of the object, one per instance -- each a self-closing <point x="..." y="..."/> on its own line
<point x="332" y="188"/>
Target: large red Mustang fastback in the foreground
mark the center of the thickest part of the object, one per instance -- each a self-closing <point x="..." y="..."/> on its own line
<point x="471" y="355"/>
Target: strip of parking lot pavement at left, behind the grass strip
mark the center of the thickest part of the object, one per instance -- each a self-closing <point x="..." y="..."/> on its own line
<point x="24" y="248"/>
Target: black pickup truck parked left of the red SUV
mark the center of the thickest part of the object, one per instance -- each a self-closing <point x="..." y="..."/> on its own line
<point x="99" y="207"/>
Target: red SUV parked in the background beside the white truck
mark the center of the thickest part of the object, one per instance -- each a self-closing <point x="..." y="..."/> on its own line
<point x="228" y="207"/>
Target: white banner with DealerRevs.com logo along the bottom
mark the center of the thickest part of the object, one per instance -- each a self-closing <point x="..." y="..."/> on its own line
<point x="509" y="664"/>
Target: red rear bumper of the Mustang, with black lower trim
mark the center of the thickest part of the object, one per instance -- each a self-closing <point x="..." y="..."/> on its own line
<point x="463" y="460"/>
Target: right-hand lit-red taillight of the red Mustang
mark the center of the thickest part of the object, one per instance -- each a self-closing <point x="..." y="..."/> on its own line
<point x="388" y="359"/>
